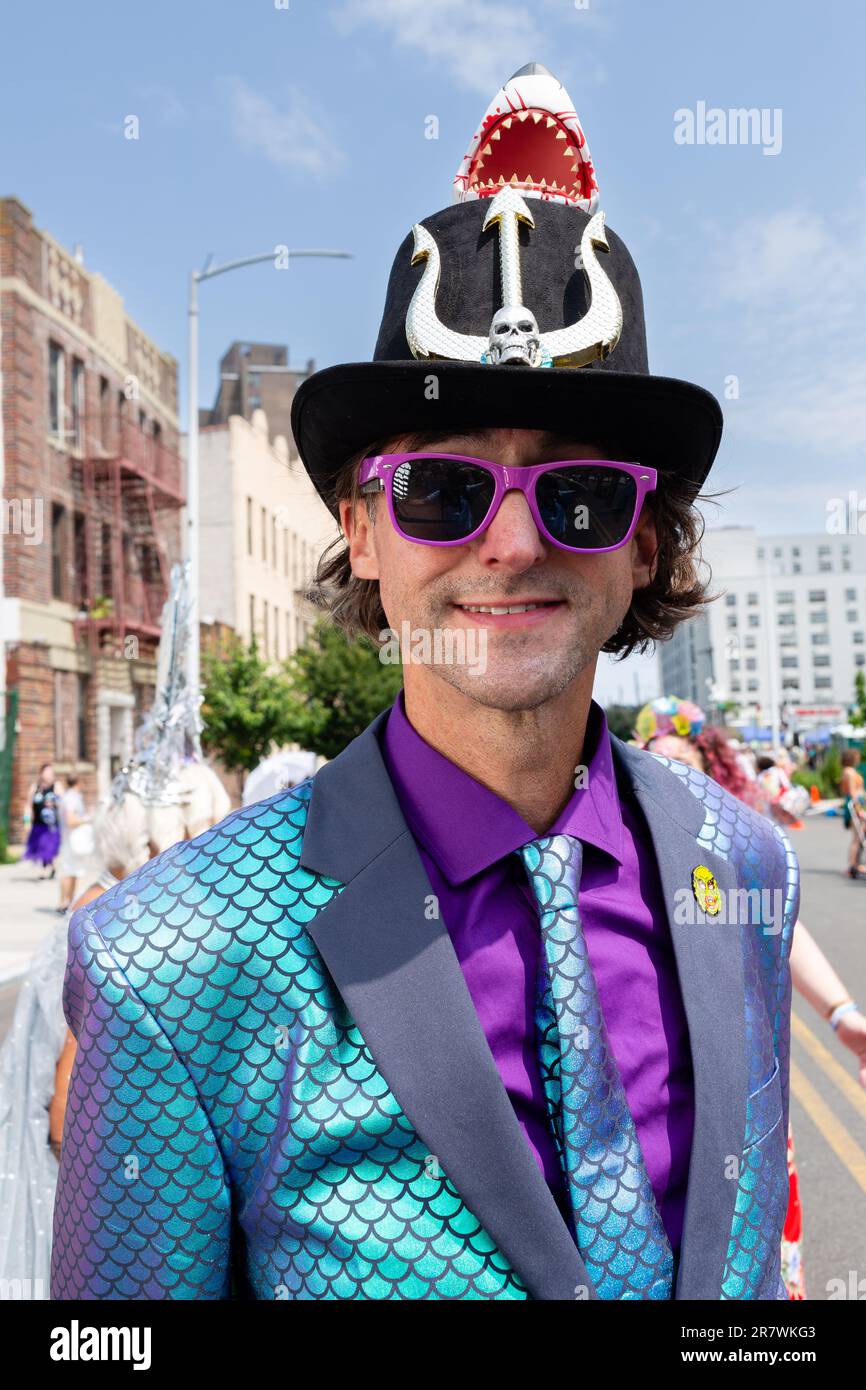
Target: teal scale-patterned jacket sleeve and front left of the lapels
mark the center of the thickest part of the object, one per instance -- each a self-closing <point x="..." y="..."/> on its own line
<point x="224" y="1111"/>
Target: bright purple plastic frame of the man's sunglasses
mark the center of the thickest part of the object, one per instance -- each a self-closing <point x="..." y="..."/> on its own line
<point x="382" y="469"/>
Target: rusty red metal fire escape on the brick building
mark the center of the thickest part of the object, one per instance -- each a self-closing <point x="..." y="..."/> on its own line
<point x="129" y="482"/>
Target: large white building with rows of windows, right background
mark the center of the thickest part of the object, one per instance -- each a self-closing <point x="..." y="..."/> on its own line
<point x="790" y="625"/>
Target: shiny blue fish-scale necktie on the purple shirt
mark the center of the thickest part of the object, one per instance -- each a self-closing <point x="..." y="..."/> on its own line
<point x="619" y="1229"/>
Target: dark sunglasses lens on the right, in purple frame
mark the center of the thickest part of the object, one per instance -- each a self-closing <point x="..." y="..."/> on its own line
<point x="587" y="508"/>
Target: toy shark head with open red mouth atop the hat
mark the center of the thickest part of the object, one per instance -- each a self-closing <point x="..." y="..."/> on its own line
<point x="532" y="140"/>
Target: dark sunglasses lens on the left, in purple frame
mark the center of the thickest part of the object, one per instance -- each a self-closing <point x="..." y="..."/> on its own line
<point x="436" y="500"/>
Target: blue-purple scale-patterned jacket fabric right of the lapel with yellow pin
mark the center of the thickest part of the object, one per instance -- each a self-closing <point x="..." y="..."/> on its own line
<point x="767" y="864"/>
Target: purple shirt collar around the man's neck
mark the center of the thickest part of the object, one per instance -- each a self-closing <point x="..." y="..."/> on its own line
<point x="486" y="829"/>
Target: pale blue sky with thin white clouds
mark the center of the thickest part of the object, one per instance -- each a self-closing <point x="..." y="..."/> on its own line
<point x="305" y="126"/>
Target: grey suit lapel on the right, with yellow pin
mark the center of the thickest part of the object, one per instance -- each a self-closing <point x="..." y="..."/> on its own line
<point x="711" y="971"/>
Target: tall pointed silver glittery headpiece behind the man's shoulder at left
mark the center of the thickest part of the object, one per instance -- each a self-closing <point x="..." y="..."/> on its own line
<point x="172" y="732"/>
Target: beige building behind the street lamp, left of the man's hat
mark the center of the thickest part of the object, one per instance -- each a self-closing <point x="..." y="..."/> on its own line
<point x="263" y="529"/>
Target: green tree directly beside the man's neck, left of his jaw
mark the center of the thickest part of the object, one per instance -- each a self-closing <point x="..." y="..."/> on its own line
<point x="338" y="687"/>
